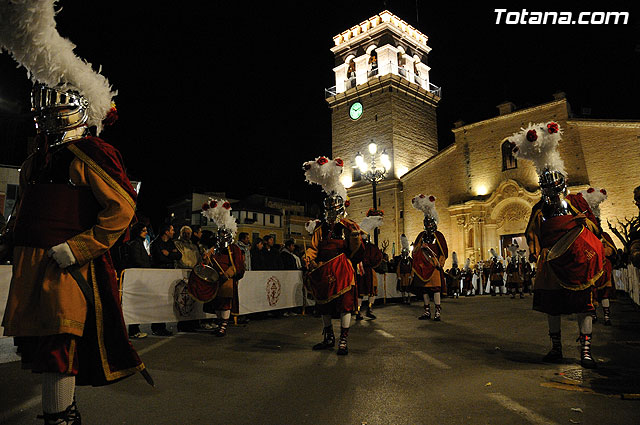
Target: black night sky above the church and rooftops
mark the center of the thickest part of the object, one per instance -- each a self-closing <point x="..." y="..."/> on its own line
<point x="229" y="96"/>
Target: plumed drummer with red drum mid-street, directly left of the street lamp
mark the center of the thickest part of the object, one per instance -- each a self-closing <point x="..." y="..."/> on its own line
<point x="336" y="245"/>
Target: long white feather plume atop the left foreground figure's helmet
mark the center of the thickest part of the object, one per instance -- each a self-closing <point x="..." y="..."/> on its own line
<point x="28" y="31"/>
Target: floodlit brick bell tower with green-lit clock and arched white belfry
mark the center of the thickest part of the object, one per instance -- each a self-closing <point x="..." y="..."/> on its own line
<point x="383" y="95"/>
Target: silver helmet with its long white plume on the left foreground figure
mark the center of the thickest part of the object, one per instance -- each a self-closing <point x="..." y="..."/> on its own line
<point x="28" y="31"/>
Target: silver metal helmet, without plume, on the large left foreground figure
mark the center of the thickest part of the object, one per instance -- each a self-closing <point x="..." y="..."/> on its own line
<point x="59" y="112"/>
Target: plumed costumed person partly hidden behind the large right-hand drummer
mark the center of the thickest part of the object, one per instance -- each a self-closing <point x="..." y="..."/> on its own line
<point x="604" y="290"/>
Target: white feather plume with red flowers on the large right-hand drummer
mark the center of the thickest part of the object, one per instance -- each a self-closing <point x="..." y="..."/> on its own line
<point x="539" y="143"/>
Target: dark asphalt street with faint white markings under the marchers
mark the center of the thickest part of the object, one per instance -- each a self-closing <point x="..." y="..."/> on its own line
<point x="480" y="365"/>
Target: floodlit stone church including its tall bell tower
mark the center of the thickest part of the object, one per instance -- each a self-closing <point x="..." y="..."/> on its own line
<point x="483" y="194"/>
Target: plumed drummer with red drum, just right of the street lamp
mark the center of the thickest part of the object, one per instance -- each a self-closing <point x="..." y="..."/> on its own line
<point x="429" y="254"/>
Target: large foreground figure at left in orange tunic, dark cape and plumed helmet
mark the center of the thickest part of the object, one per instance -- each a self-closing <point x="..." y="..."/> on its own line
<point x="75" y="201"/>
